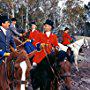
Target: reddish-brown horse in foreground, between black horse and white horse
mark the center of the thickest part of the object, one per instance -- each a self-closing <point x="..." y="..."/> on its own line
<point x="65" y="68"/>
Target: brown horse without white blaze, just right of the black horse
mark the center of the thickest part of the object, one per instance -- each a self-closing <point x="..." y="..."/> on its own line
<point x="63" y="68"/>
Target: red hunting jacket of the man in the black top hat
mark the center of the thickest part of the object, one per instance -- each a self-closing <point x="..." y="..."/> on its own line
<point x="51" y="41"/>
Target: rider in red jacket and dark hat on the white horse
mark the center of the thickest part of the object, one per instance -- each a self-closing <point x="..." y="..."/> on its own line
<point x="66" y="37"/>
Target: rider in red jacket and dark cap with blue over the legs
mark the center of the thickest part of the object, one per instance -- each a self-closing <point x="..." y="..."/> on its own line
<point x="33" y="39"/>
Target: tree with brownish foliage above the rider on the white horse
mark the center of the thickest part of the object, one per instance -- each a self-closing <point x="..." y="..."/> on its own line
<point x="73" y="14"/>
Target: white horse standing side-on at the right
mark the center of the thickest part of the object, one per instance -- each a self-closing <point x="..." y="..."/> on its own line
<point x="75" y="48"/>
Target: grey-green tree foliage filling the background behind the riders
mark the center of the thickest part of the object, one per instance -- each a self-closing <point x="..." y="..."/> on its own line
<point x="39" y="10"/>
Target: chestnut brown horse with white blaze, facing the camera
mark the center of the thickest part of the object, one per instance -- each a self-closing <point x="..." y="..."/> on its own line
<point x="21" y="69"/>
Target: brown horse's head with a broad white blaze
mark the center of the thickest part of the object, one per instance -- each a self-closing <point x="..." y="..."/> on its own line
<point x="22" y="68"/>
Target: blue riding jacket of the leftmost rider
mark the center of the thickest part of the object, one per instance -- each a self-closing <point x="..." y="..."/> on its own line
<point x="6" y="41"/>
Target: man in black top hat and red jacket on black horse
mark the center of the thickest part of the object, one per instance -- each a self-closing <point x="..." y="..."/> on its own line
<point x="47" y="42"/>
